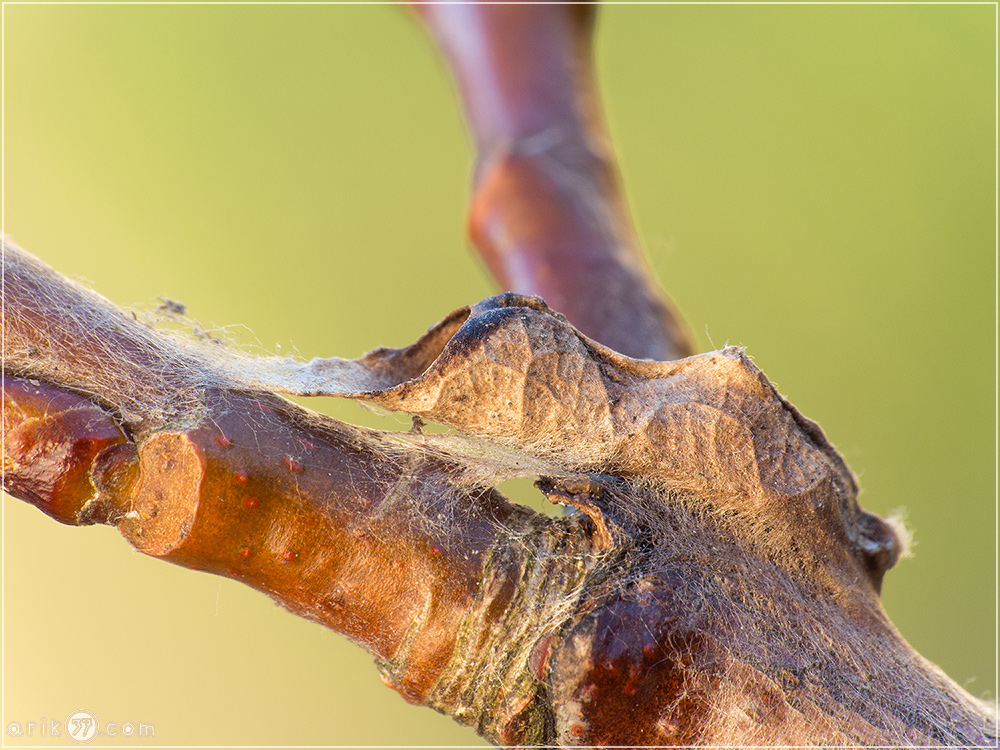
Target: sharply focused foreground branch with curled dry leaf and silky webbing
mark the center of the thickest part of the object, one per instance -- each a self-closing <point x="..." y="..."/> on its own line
<point x="720" y="584"/>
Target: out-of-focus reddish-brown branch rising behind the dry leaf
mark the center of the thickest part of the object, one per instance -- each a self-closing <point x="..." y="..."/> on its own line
<point x="548" y="212"/>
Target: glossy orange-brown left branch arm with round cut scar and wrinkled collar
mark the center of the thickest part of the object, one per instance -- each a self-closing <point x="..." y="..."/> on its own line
<point x="107" y="420"/>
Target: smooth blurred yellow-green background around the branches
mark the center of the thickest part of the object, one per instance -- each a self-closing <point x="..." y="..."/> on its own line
<point x="813" y="182"/>
